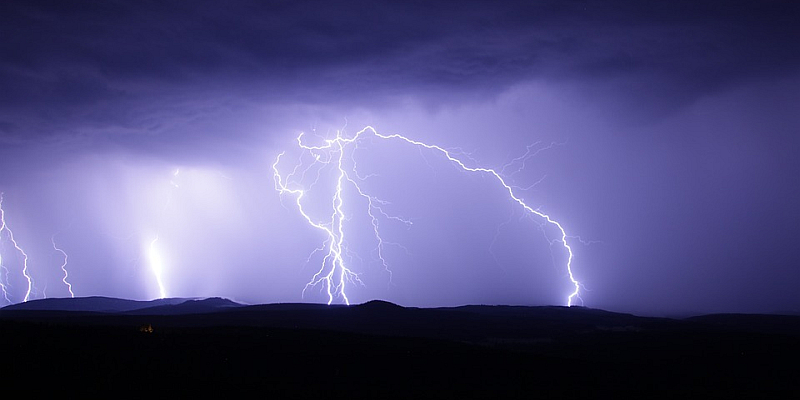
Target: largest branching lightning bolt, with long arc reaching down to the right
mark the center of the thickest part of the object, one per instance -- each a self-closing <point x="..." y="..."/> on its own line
<point x="334" y="274"/>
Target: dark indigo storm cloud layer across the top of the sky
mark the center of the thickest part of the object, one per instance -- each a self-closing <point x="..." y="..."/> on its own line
<point x="93" y="62"/>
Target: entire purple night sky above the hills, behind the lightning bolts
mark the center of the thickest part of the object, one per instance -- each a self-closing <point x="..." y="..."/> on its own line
<point x="667" y="129"/>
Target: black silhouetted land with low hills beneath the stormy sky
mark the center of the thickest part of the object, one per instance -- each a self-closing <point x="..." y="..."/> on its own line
<point x="175" y="347"/>
